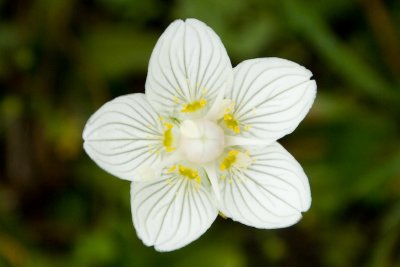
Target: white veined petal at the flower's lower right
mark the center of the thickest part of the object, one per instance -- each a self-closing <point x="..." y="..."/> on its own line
<point x="270" y="193"/>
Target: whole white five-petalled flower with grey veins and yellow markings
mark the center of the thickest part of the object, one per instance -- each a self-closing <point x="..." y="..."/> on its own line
<point x="203" y="139"/>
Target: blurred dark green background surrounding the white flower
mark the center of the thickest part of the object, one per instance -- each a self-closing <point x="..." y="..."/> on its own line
<point x="60" y="60"/>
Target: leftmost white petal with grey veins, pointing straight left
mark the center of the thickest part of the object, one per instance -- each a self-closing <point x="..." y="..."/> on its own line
<point x="124" y="135"/>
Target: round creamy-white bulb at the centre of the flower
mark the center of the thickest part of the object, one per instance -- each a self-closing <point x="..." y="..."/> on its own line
<point x="201" y="140"/>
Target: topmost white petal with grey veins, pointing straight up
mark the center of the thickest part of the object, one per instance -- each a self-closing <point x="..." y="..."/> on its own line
<point x="188" y="63"/>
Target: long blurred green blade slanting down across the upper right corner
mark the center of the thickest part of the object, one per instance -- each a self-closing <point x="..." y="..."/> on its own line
<point x="339" y="58"/>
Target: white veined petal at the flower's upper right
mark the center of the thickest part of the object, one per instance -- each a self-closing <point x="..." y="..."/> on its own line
<point x="271" y="96"/>
